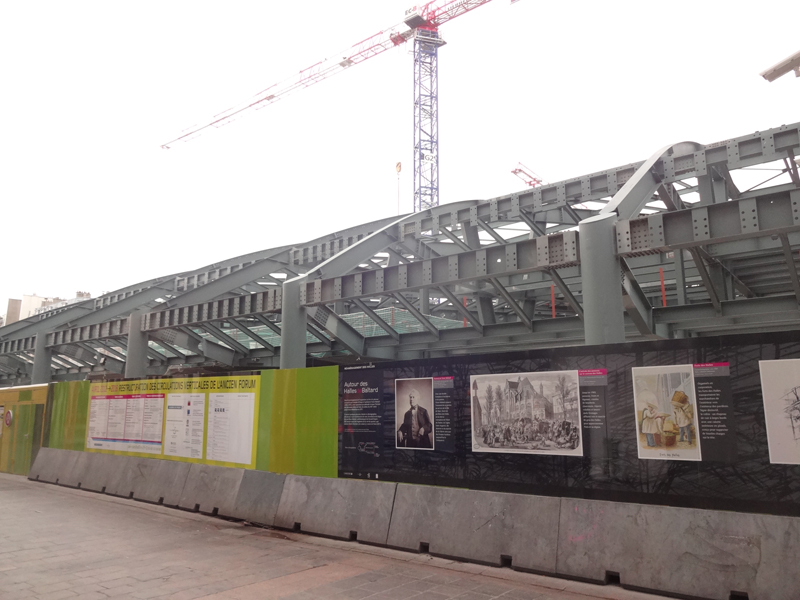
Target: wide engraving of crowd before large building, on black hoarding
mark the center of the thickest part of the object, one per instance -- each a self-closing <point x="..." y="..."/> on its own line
<point x="528" y="413"/>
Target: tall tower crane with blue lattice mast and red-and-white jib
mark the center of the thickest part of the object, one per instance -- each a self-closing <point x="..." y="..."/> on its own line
<point x="420" y="23"/>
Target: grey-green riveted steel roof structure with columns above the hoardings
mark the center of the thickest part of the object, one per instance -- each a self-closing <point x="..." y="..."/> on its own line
<point x="580" y="261"/>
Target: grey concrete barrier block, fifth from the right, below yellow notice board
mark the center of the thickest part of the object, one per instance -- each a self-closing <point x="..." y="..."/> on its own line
<point x="210" y="487"/>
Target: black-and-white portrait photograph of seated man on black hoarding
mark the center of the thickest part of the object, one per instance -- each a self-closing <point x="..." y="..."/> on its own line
<point x="414" y="413"/>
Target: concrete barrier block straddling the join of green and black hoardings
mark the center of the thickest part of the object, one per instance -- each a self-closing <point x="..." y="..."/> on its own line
<point x="337" y="507"/>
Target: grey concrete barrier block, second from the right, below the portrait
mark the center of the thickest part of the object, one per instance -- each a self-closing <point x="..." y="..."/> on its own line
<point x="485" y="527"/>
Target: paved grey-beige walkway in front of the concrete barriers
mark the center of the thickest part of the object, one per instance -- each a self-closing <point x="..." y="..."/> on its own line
<point x="58" y="543"/>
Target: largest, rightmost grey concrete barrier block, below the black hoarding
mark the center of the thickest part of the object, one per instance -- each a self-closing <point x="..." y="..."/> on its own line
<point x="701" y="553"/>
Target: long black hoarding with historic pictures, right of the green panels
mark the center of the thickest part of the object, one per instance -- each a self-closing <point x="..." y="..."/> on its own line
<point x="520" y="453"/>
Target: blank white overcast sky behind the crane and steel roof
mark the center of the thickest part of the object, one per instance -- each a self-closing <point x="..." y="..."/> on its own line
<point x="90" y="90"/>
